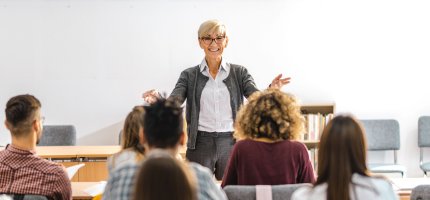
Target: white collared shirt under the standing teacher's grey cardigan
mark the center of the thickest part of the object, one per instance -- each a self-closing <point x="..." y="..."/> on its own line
<point x="215" y="109"/>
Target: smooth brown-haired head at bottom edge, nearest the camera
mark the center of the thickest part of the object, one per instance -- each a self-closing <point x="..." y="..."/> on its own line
<point x="163" y="177"/>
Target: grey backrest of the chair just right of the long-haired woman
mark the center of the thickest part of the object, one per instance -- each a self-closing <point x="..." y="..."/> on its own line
<point x="382" y="134"/>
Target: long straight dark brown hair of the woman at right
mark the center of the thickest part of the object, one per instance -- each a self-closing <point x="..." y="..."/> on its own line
<point x="342" y="152"/>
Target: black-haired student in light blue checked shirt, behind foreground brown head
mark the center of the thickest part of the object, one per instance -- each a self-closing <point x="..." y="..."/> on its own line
<point x="163" y="129"/>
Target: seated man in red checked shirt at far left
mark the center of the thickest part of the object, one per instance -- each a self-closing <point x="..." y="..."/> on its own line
<point x="21" y="170"/>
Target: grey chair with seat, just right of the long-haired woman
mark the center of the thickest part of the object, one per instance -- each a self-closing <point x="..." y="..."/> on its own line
<point x="384" y="135"/>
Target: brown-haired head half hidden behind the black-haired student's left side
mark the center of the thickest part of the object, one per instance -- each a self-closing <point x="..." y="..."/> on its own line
<point x="132" y="130"/>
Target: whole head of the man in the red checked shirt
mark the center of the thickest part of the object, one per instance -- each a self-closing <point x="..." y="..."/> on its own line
<point x="23" y="116"/>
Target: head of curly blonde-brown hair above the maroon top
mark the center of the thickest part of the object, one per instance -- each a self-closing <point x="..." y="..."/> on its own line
<point x="269" y="114"/>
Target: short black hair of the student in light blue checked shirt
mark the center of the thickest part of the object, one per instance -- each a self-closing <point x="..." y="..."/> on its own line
<point x="163" y="123"/>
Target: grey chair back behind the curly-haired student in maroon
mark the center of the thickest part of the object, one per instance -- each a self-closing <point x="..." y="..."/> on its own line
<point x="249" y="192"/>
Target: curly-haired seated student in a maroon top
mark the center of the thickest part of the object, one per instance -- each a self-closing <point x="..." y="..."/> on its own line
<point x="266" y="153"/>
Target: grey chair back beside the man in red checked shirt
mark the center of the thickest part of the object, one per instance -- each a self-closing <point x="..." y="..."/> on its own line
<point x="58" y="135"/>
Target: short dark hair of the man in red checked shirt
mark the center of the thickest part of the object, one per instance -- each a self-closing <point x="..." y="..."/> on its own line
<point x="20" y="112"/>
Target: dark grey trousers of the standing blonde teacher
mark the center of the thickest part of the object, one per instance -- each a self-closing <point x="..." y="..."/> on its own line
<point x="212" y="151"/>
